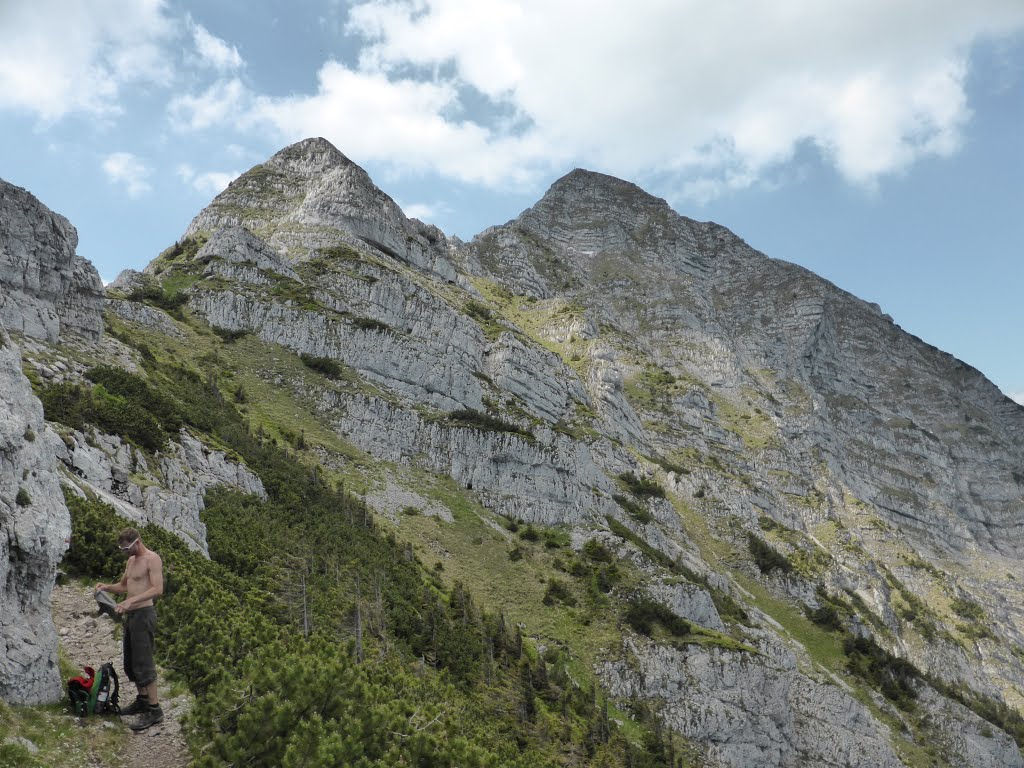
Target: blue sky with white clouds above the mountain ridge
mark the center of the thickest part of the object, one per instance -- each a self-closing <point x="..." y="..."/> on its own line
<point x="877" y="143"/>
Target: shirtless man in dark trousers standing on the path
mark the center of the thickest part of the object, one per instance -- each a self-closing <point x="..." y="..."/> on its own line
<point x="143" y="581"/>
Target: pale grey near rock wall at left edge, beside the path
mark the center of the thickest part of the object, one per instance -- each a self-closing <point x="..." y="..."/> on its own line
<point x="34" y="533"/>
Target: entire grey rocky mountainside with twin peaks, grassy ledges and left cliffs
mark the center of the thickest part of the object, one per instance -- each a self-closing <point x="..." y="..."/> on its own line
<point x="821" y="516"/>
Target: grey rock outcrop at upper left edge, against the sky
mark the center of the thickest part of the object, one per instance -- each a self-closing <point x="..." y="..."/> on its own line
<point x="47" y="289"/>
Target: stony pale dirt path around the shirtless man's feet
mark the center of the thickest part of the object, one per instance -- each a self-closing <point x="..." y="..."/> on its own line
<point x="92" y="639"/>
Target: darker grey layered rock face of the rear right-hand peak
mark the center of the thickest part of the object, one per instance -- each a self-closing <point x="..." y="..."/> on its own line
<point x="884" y="408"/>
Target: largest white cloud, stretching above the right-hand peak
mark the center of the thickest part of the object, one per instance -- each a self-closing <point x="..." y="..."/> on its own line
<point x="718" y="93"/>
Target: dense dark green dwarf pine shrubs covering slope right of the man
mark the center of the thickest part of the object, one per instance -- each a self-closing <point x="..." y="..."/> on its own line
<point x="313" y="637"/>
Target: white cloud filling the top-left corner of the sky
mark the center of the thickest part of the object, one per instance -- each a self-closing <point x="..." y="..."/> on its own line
<point x="64" y="57"/>
